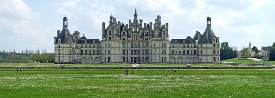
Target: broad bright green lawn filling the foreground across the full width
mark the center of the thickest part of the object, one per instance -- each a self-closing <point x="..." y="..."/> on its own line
<point x="142" y="84"/>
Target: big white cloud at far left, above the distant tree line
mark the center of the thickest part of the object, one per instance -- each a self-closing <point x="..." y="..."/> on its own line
<point x="19" y="28"/>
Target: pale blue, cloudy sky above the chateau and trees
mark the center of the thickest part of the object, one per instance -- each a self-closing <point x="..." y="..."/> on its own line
<point x="32" y="24"/>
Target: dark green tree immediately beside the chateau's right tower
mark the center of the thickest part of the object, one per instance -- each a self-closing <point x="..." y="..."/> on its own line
<point x="227" y="52"/>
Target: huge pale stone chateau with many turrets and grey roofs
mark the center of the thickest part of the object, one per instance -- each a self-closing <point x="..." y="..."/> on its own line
<point x="136" y="42"/>
